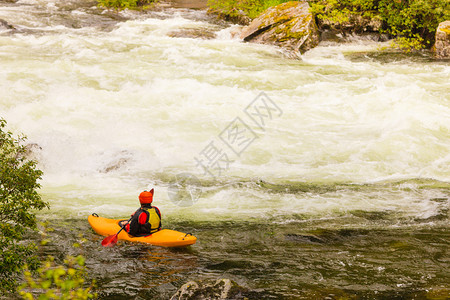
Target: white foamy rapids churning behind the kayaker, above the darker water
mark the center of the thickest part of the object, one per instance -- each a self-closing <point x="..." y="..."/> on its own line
<point x="112" y="111"/>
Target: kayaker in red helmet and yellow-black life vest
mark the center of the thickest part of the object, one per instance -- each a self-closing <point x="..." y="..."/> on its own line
<point x="147" y="219"/>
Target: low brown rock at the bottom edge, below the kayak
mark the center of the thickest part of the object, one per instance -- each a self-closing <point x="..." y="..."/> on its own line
<point x="210" y="289"/>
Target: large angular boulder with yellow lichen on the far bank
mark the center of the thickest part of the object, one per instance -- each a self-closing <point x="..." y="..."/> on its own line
<point x="289" y="25"/>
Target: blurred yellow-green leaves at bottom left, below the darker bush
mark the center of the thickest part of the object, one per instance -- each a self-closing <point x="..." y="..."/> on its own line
<point x="53" y="281"/>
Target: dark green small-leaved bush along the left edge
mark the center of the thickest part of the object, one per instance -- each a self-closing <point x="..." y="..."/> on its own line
<point x="18" y="198"/>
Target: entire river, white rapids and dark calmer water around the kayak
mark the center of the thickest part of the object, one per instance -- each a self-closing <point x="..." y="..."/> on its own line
<point x="323" y="176"/>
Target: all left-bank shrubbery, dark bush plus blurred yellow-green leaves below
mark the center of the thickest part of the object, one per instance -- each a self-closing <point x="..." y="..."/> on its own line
<point x="19" y="259"/>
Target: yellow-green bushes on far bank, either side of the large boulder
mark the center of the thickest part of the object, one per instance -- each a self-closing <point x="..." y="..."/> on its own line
<point x="412" y="23"/>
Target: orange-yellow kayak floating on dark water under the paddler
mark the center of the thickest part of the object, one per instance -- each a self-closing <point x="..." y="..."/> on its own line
<point x="164" y="237"/>
